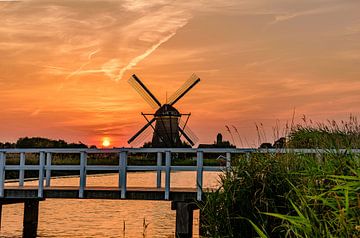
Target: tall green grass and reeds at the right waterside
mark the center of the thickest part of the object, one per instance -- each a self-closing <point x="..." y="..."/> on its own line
<point x="291" y="195"/>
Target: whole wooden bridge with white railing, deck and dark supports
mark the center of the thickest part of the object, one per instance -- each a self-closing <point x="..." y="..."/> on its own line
<point x="182" y="198"/>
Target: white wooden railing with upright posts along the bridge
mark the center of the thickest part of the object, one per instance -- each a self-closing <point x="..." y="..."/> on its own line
<point x="45" y="165"/>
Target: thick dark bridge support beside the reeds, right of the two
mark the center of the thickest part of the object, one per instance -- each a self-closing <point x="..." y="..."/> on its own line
<point x="184" y="218"/>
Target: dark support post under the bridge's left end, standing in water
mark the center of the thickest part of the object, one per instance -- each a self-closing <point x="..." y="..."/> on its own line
<point x="31" y="215"/>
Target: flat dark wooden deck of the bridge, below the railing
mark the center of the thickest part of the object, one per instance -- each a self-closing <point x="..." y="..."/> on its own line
<point x="72" y="192"/>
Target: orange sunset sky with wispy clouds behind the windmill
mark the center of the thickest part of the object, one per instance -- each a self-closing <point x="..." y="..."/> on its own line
<point x="64" y="65"/>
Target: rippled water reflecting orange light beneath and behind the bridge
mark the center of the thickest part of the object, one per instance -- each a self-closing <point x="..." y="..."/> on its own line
<point x="105" y="218"/>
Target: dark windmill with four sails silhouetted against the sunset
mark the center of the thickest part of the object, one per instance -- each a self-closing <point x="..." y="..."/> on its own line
<point x="169" y="127"/>
